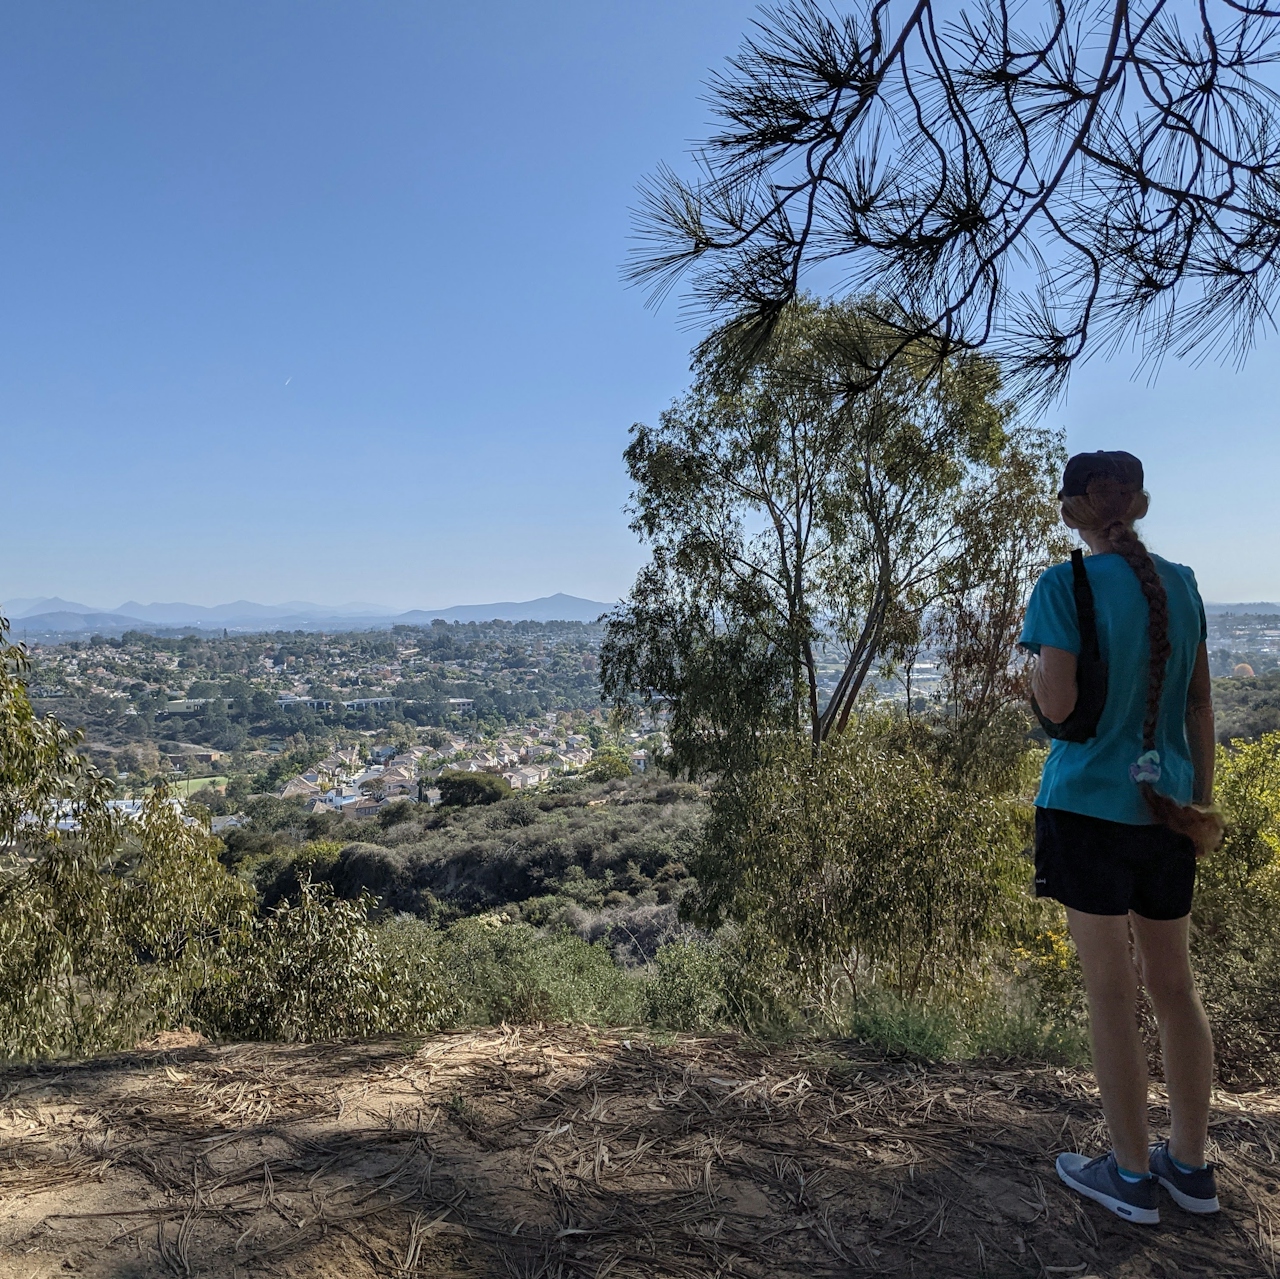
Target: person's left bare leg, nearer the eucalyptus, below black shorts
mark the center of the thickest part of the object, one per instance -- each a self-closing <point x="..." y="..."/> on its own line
<point x="1119" y="1059"/>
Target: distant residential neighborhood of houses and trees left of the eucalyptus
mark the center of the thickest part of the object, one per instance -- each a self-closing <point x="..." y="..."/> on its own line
<point x="337" y="719"/>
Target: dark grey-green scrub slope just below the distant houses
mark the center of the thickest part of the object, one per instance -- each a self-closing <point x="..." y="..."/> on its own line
<point x="579" y="856"/>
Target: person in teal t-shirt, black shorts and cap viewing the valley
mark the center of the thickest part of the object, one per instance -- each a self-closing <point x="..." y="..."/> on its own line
<point x="1123" y="811"/>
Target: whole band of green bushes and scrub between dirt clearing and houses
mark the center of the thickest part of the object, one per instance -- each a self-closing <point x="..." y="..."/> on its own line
<point x="595" y="902"/>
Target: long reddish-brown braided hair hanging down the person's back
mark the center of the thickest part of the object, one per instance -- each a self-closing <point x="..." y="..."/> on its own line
<point x="1110" y="510"/>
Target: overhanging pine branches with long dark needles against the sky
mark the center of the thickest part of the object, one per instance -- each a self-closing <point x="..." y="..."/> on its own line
<point x="1037" y="180"/>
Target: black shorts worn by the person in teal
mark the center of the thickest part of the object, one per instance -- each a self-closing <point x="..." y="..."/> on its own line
<point x="1110" y="869"/>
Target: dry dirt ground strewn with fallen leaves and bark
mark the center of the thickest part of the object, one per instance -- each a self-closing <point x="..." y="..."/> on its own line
<point x="561" y="1153"/>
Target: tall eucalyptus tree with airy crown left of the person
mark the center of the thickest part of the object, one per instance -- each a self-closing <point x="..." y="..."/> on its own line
<point x="792" y="522"/>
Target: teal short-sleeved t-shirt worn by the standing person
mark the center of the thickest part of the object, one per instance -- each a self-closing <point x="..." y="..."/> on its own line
<point x="1092" y="776"/>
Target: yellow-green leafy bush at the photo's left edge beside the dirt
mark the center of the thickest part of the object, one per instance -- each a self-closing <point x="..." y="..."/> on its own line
<point x="108" y="928"/>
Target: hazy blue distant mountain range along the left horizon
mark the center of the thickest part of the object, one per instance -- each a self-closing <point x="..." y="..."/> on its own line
<point x="54" y="616"/>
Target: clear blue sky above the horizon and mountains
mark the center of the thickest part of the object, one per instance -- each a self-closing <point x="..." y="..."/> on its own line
<point x="322" y="300"/>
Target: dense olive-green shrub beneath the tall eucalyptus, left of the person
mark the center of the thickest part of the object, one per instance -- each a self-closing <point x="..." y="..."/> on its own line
<point x="865" y="867"/>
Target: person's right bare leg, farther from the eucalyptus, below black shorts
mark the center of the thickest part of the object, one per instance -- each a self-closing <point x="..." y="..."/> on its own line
<point x="1185" y="1035"/>
